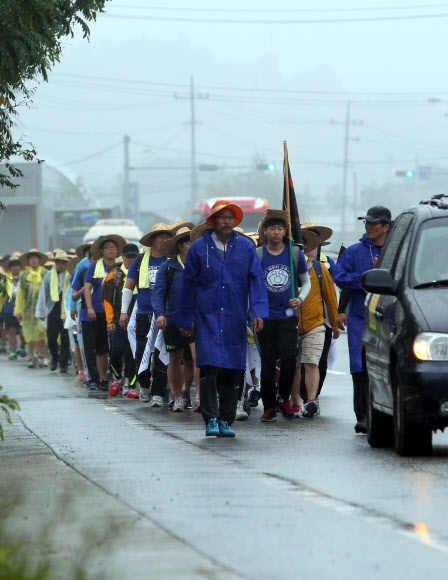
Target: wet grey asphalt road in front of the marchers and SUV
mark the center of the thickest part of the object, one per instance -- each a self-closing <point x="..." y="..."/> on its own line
<point x="306" y="498"/>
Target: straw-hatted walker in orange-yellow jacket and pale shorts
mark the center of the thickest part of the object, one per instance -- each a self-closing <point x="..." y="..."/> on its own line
<point x="320" y="303"/>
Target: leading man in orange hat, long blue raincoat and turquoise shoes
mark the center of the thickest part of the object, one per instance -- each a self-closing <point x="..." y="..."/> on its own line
<point x="222" y="278"/>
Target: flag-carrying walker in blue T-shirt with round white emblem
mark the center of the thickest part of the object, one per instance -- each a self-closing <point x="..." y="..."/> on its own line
<point x="278" y="339"/>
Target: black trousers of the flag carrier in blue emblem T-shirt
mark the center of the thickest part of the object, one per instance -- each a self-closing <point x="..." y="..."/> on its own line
<point x="278" y="339"/>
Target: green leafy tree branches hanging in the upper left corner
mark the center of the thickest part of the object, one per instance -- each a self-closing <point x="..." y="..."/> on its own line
<point x="30" y="45"/>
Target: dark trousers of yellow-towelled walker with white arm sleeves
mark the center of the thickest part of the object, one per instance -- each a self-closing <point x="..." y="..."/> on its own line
<point x="159" y="382"/>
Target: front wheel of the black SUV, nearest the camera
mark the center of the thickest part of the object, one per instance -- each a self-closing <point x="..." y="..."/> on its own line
<point x="410" y="438"/>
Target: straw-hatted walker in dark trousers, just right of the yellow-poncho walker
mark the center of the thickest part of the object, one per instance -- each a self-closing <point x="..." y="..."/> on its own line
<point x="50" y="307"/>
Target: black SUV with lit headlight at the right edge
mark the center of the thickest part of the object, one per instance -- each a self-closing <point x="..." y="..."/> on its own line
<point x="405" y="337"/>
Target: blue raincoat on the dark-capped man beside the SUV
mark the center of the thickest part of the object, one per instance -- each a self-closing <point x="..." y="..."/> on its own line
<point x="357" y="259"/>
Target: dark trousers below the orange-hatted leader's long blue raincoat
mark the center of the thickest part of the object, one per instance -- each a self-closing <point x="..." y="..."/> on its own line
<point x="226" y="382"/>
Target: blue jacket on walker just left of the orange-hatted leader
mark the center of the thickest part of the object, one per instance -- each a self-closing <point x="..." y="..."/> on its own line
<point x="160" y="290"/>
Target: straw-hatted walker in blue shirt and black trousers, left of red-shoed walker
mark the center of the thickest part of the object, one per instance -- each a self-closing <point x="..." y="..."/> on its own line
<point x="93" y="319"/>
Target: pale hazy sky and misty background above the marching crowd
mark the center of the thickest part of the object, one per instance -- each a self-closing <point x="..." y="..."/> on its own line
<point x="263" y="73"/>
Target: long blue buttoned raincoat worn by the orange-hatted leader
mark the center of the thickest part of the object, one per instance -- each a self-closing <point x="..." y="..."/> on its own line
<point x="216" y="293"/>
